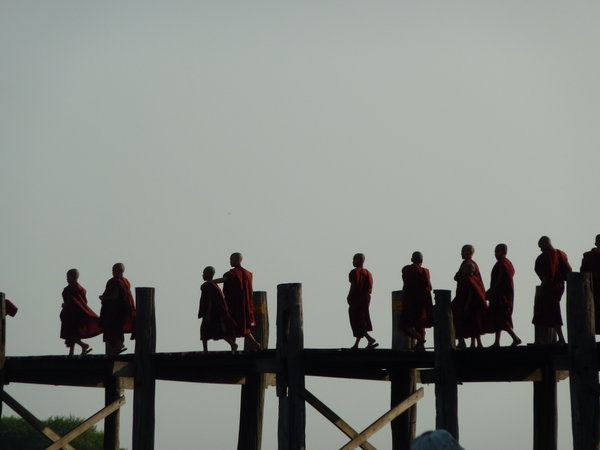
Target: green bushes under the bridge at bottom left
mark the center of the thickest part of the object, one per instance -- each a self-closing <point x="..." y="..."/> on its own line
<point x="16" y="434"/>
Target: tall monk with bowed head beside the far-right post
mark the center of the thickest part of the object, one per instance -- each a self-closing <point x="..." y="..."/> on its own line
<point x="552" y="266"/>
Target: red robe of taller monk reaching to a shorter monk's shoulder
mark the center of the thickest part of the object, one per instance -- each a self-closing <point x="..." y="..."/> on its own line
<point x="237" y="288"/>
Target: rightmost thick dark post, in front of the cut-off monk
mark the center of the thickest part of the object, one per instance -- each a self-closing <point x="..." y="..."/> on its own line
<point x="583" y="370"/>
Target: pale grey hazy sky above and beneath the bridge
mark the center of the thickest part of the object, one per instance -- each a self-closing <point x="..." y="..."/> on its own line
<point x="168" y="135"/>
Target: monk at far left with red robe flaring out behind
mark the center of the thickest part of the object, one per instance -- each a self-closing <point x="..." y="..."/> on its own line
<point x="78" y="321"/>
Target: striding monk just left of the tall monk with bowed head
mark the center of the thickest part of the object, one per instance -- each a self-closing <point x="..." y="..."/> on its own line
<point x="501" y="296"/>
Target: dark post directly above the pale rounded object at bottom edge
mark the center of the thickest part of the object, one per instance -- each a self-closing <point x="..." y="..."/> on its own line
<point x="446" y="390"/>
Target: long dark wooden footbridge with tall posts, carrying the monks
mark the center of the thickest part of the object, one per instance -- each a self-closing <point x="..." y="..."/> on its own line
<point x="289" y="363"/>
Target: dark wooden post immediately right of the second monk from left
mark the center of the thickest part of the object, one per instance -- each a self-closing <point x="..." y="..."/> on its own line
<point x="144" y="378"/>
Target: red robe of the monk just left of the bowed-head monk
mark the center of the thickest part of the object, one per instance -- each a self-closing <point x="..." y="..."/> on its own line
<point x="501" y="295"/>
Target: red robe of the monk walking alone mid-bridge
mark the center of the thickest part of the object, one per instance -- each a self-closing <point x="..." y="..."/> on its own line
<point x="359" y="299"/>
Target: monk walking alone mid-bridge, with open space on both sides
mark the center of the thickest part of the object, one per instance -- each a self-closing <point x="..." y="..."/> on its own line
<point x="359" y="298"/>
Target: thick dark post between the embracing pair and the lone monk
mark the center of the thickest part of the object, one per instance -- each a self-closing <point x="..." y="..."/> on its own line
<point x="290" y="375"/>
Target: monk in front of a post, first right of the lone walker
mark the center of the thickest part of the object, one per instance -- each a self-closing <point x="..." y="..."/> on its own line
<point x="417" y="307"/>
